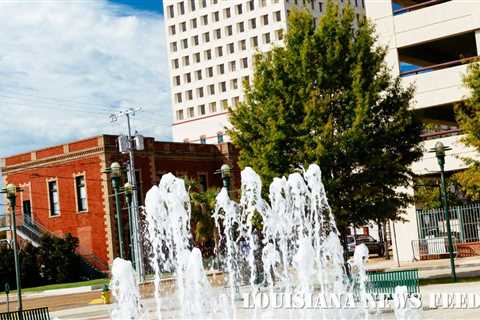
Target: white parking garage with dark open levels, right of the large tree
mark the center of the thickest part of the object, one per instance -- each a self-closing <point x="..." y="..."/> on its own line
<point x="430" y="44"/>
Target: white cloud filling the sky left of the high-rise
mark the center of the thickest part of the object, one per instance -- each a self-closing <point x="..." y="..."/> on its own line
<point x="65" y="65"/>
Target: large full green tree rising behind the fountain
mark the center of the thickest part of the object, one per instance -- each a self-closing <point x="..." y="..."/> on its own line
<point x="327" y="97"/>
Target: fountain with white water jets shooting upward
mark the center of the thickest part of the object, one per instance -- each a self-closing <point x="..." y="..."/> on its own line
<point x="294" y="252"/>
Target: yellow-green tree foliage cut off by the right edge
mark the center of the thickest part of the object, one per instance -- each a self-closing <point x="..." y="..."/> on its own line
<point x="468" y="117"/>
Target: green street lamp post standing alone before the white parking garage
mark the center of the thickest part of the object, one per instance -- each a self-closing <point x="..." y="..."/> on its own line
<point x="440" y="154"/>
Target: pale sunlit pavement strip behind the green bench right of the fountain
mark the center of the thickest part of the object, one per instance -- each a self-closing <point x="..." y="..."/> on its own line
<point x="465" y="267"/>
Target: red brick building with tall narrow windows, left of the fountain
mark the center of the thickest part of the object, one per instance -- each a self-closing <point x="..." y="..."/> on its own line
<point x="65" y="191"/>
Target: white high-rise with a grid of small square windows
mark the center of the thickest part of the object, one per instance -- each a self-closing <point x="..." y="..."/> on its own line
<point x="211" y="44"/>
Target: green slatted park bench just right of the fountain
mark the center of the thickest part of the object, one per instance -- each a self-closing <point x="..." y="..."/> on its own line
<point x="385" y="282"/>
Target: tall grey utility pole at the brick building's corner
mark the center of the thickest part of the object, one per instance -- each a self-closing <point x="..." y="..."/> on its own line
<point x="133" y="144"/>
